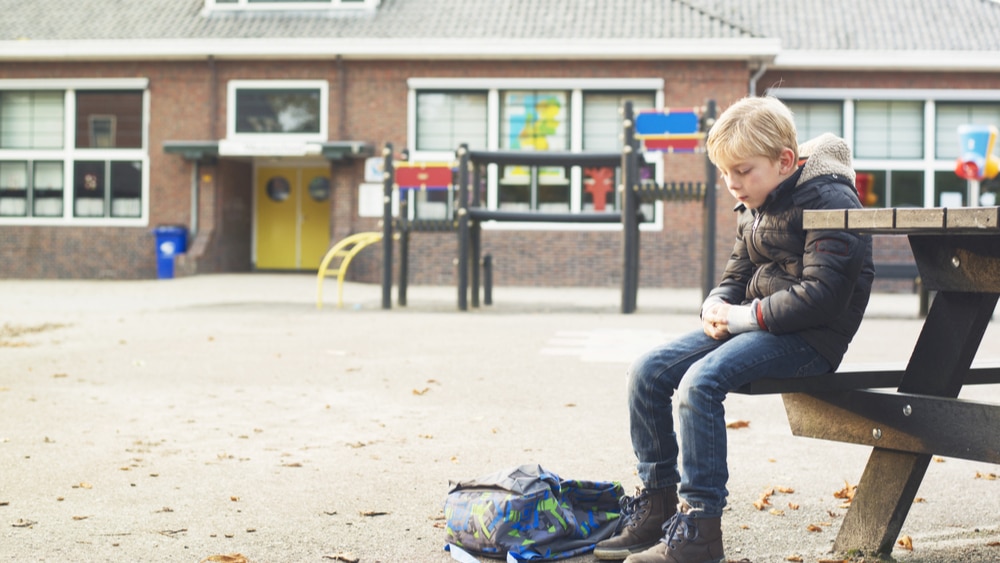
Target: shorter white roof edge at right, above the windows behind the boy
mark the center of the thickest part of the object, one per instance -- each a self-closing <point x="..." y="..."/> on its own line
<point x="874" y="60"/>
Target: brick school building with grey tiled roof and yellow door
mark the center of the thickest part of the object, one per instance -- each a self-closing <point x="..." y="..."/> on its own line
<point x="252" y="123"/>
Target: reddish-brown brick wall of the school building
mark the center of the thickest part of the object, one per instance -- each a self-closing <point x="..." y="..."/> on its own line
<point x="368" y="103"/>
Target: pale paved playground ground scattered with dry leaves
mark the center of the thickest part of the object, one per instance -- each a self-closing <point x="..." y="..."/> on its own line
<point x="181" y="420"/>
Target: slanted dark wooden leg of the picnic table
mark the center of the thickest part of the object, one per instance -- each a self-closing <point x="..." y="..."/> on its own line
<point x="955" y="322"/>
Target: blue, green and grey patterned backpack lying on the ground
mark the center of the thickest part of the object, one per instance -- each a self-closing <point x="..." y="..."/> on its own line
<point x="530" y="514"/>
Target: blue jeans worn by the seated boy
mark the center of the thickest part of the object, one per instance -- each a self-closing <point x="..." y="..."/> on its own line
<point x="702" y="371"/>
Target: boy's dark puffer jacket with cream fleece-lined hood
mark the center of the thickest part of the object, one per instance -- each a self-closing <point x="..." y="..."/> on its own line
<point x="816" y="283"/>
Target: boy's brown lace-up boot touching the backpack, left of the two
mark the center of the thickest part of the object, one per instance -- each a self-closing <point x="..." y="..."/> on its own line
<point x="643" y="516"/>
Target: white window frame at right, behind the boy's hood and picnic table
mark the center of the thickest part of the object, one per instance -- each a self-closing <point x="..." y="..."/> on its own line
<point x="929" y="164"/>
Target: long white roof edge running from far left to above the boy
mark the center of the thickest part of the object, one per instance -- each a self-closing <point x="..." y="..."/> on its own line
<point x="377" y="48"/>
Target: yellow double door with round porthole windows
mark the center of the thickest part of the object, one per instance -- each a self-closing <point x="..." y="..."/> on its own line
<point x="292" y="227"/>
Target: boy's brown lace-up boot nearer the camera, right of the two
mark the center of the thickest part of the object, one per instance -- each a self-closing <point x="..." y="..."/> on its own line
<point x="687" y="540"/>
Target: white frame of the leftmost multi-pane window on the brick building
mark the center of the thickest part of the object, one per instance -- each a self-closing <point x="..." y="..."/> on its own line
<point x="70" y="154"/>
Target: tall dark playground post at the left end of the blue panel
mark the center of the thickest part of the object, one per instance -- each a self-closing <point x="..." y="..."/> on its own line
<point x="630" y="224"/>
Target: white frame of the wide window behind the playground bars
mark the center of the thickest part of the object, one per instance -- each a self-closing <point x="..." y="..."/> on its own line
<point x="494" y="87"/>
